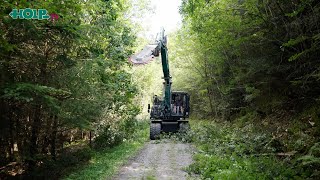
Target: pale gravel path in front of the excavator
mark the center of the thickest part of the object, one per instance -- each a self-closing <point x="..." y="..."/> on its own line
<point x="159" y="160"/>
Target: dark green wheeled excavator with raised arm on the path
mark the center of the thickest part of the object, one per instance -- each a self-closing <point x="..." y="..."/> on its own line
<point x="169" y="113"/>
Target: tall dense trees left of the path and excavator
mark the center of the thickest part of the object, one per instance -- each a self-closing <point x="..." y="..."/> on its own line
<point x="64" y="80"/>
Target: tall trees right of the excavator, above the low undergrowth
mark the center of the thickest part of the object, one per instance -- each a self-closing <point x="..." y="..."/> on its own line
<point x="253" y="55"/>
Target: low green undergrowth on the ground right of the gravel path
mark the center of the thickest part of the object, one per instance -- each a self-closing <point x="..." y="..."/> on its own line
<point x="250" y="151"/>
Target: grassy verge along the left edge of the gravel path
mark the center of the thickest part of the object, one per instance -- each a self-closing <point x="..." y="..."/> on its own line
<point x="79" y="161"/>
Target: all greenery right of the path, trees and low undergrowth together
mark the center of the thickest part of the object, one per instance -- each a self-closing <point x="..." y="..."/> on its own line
<point x="255" y="64"/>
